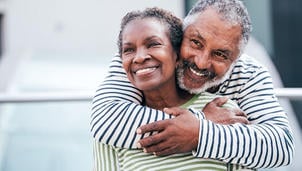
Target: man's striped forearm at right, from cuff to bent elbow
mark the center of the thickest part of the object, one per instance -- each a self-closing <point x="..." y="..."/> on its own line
<point x="254" y="146"/>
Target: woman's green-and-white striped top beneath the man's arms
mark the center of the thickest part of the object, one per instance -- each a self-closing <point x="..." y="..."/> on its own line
<point x="107" y="157"/>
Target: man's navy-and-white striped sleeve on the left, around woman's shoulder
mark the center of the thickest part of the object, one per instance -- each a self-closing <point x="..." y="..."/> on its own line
<point x="116" y="112"/>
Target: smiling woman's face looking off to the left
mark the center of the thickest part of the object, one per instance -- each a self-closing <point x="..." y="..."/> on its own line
<point x="147" y="54"/>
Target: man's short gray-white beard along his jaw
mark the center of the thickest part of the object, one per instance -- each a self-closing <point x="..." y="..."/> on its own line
<point x="206" y="85"/>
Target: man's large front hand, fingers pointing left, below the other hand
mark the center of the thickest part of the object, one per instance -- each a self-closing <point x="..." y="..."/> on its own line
<point x="177" y="135"/>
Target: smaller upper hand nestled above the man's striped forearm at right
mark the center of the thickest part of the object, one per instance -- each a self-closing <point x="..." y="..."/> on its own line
<point x="215" y="113"/>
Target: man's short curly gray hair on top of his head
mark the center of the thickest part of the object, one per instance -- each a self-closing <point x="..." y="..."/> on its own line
<point x="232" y="11"/>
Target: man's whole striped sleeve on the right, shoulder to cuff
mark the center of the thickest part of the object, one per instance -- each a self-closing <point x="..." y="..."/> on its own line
<point x="266" y="142"/>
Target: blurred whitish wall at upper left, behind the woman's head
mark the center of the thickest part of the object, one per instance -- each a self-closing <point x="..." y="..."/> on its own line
<point x="70" y="26"/>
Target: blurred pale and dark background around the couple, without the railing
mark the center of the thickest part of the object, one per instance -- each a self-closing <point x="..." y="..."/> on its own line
<point x="54" y="53"/>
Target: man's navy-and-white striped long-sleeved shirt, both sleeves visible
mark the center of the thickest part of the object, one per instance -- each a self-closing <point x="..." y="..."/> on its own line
<point x="266" y="142"/>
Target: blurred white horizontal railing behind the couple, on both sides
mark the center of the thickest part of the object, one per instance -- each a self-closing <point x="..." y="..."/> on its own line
<point x="289" y="93"/>
